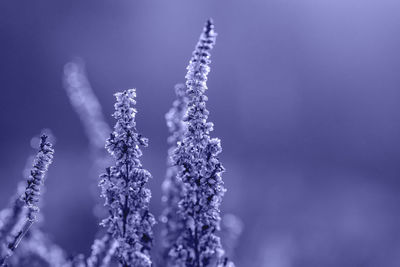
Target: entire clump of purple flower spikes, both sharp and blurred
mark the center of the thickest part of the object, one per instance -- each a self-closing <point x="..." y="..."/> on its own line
<point x="192" y="191"/>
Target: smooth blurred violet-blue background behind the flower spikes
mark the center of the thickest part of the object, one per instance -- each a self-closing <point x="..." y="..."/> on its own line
<point x="304" y="94"/>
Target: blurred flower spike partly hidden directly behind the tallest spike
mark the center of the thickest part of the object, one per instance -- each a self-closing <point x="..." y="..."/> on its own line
<point x="172" y="187"/>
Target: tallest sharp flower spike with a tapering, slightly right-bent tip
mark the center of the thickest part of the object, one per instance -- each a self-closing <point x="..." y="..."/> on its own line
<point x="200" y="170"/>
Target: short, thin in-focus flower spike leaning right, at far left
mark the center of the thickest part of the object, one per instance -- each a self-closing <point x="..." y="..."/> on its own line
<point x="31" y="197"/>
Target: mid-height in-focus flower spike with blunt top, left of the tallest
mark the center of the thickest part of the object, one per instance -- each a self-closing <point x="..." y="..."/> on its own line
<point x="123" y="187"/>
